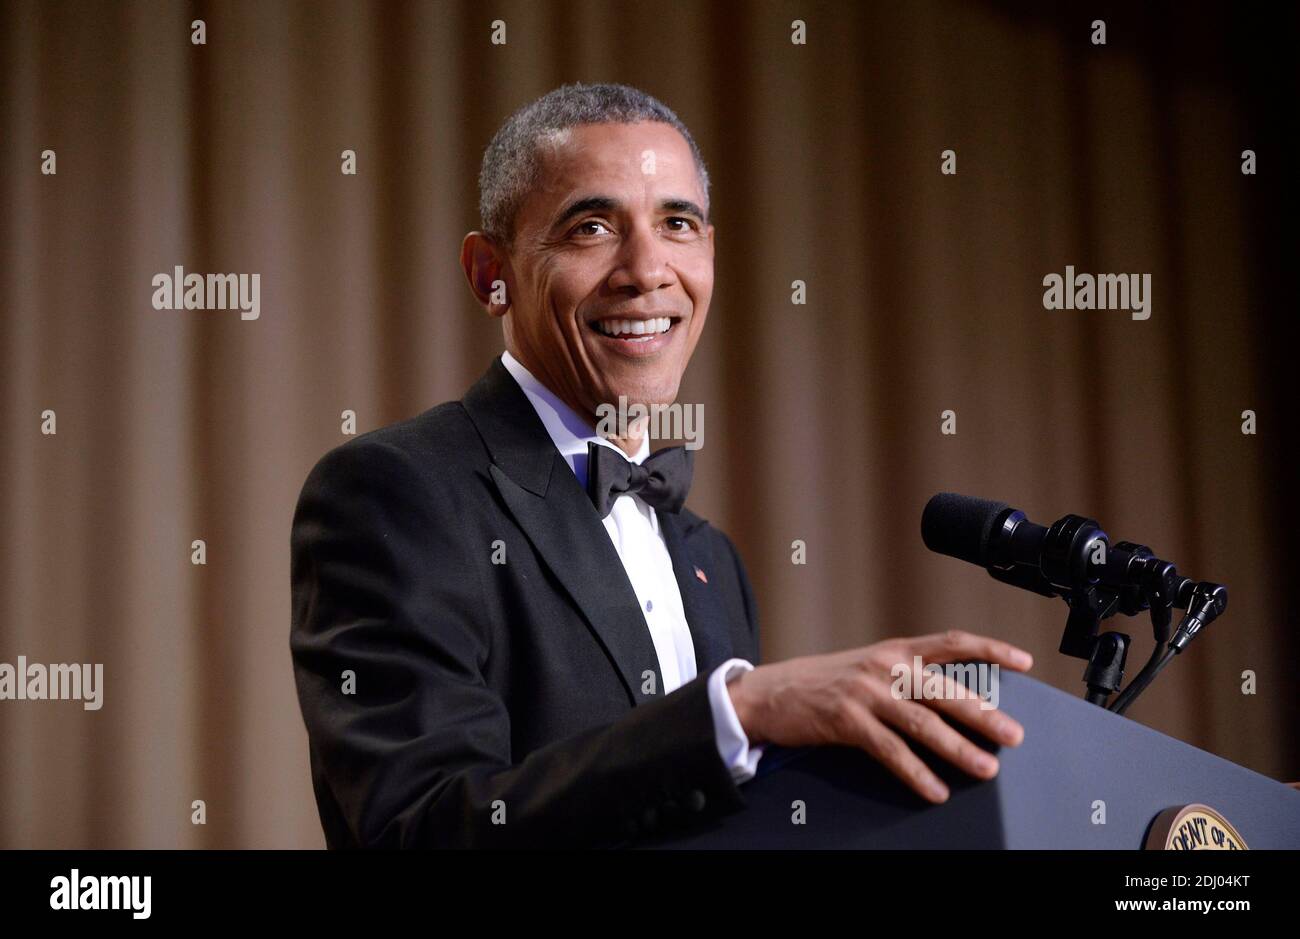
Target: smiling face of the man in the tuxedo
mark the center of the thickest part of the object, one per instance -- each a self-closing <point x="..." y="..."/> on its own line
<point x="613" y="266"/>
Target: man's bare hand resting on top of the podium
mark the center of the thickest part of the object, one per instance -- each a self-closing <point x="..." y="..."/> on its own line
<point x="846" y="699"/>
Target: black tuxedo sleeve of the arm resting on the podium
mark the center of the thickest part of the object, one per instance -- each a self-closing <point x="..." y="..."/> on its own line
<point x="389" y="651"/>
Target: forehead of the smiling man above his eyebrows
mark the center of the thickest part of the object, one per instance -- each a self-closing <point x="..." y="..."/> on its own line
<point x="616" y="159"/>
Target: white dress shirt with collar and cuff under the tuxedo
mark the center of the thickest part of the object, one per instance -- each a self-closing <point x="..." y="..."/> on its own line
<point x="634" y="527"/>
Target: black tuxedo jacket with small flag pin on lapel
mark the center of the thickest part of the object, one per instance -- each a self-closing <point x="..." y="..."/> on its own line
<point x="456" y="702"/>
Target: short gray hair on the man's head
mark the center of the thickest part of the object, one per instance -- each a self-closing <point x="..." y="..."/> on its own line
<point x="512" y="162"/>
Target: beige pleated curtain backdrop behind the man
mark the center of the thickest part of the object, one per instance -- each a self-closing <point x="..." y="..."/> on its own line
<point x="822" y="421"/>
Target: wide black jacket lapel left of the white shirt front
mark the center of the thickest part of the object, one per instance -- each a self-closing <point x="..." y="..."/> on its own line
<point x="547" y="501"/>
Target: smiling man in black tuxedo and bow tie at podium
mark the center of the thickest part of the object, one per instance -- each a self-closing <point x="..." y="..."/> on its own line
<point x="508" y="631"/>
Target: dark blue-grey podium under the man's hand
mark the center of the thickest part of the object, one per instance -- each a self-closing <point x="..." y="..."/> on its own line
<point x="1074" y="755"/>
